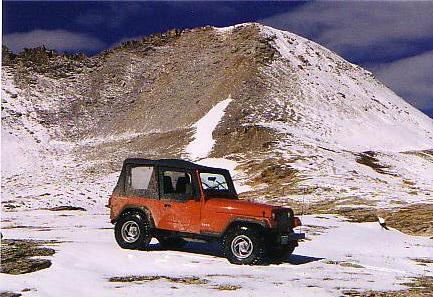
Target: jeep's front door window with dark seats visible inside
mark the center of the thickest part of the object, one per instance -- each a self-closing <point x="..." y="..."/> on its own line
<point x="177" y="185"/>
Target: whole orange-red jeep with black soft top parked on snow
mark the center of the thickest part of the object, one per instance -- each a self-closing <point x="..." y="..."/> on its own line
<point x="173" y="200"/>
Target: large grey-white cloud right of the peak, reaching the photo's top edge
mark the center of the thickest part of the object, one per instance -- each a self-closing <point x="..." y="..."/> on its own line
<point x="352" y="27"/>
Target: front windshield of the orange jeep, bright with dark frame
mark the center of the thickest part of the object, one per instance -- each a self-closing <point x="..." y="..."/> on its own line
<point x="216" y="185"/>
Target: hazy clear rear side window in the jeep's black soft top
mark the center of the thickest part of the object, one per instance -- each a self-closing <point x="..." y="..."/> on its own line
<point x="141" y="181"/>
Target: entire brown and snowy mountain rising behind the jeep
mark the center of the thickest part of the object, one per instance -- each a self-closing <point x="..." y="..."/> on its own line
<point x="269" y="101"/>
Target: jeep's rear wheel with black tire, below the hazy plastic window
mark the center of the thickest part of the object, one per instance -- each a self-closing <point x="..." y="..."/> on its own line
<point x="132" y="231"/>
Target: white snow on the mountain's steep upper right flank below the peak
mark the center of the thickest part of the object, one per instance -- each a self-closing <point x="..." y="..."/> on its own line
<point x="340" y="104"/>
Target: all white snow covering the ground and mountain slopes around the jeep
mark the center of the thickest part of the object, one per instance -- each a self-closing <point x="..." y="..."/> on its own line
<point x="319" y="136"/>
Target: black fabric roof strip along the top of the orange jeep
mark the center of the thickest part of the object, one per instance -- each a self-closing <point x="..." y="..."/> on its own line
<point x="172" y="163"/>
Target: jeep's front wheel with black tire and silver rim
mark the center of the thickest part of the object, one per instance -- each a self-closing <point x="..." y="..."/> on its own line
<point x="244" y="246"/>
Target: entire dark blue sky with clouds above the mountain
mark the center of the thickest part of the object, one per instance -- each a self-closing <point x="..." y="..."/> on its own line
<point x="392" y="39"/>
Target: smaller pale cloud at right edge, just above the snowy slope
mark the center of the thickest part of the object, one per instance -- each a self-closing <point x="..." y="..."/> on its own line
<point x="412" y="78"/>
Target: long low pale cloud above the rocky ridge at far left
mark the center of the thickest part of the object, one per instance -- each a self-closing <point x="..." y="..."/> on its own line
<point x="53" y="39"/>
